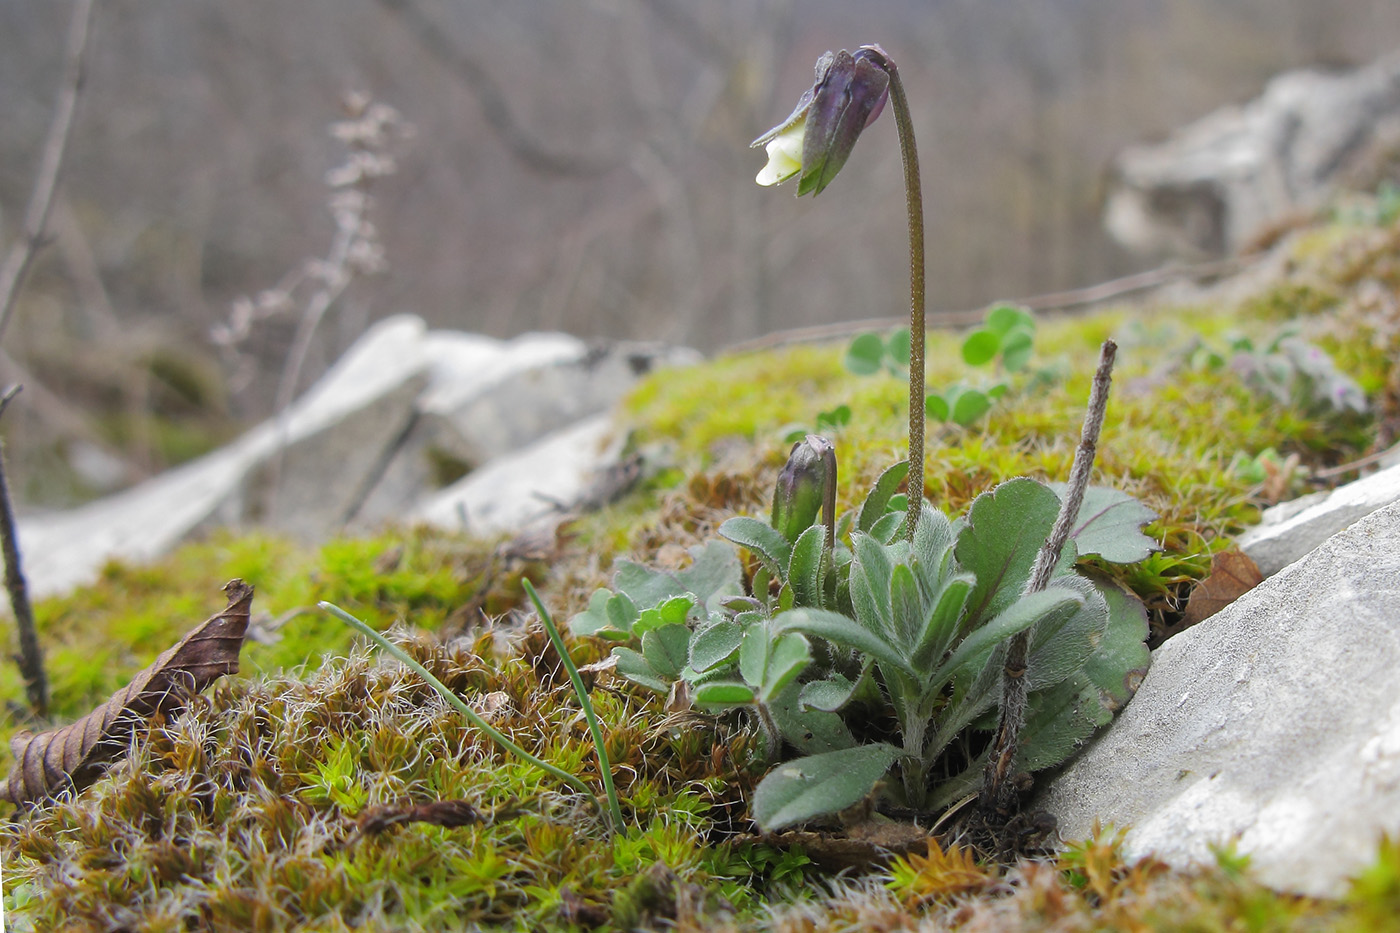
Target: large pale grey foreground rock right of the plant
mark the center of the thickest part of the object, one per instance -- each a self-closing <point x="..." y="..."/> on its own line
<point x="1275" y="724"/>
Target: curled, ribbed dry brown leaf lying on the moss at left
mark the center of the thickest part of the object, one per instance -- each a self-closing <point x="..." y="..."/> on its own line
<point x="76" y="756"/>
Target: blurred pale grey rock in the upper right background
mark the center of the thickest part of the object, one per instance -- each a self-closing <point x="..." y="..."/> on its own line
<point x="1217" y="184"/>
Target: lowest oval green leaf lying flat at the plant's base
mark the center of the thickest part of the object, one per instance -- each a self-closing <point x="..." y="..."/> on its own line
<point x="818" y="785"/>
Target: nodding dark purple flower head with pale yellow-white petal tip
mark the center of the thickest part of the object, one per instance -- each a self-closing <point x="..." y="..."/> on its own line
<point x="817" y="138"/>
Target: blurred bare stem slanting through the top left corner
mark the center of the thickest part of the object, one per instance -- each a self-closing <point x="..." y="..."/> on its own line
<point x="51" y="163"/>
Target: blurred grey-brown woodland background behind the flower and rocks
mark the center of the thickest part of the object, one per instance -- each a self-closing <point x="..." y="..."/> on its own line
<point x="576" y="166"/>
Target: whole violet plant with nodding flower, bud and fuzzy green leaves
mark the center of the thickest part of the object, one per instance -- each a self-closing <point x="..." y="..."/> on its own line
<point x="979" y="638"/>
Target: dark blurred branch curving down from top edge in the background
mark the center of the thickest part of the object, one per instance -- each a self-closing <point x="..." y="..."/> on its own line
<point x="492" y="99"/>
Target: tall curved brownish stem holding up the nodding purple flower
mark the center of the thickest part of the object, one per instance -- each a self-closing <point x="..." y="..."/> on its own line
<point x="915" y="201"/>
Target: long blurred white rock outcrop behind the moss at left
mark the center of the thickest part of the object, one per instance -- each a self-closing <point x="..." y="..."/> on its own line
<point x="526" y="421"/>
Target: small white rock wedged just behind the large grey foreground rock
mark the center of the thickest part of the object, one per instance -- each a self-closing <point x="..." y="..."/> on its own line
<point x="1293" y="529"/>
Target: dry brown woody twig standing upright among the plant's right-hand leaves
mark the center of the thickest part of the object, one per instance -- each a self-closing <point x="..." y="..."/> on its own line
<point x="996" y="791"/>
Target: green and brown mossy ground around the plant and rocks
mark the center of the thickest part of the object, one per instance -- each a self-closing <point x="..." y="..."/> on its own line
<point x="246" y="813"/>
